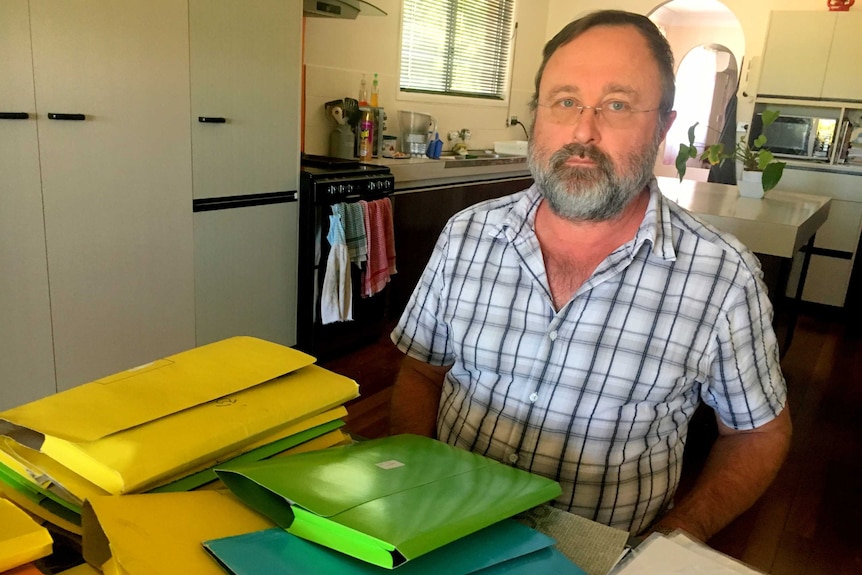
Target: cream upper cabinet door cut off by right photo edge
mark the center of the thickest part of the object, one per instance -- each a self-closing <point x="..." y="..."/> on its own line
<point x="843" y="79"/>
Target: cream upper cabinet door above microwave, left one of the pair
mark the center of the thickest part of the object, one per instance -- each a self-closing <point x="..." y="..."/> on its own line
<point x="796" y="53"/>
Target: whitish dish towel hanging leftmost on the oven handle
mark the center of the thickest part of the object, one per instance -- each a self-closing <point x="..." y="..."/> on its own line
<point x="336" y="300"/>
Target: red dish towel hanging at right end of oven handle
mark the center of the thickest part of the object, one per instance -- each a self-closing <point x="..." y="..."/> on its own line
<point x="381" y="247"/>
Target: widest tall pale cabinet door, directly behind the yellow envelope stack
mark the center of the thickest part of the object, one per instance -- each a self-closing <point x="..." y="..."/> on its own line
<point x="116" y="186"/>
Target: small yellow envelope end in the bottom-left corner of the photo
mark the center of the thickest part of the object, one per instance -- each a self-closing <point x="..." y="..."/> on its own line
<point x="21" y="539"/>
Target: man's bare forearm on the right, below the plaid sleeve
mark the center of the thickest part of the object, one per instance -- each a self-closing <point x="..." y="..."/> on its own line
<point x="739" y="468"/>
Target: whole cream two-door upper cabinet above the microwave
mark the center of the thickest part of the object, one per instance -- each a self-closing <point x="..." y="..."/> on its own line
<point x="812" y="55"/>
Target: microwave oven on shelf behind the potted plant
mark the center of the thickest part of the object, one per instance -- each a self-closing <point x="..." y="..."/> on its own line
<point x="797" y="137"/>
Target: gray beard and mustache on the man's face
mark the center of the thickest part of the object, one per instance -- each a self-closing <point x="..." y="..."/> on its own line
<point x="594" y="194"/>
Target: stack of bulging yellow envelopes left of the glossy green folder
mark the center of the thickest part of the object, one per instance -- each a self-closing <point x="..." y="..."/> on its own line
<point x="166" y="424"/>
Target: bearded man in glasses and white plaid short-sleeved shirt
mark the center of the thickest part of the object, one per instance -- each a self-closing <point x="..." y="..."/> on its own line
<point x="573" y="328"/>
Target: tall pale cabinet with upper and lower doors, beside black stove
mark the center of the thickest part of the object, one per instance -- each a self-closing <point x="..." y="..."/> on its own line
<point x="245" y="71"/>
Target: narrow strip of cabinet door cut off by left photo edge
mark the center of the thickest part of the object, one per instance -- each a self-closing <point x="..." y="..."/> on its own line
<point x="26" y="350"/>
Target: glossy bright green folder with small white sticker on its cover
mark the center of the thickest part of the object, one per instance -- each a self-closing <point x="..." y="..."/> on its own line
<point x="389" y="500"/>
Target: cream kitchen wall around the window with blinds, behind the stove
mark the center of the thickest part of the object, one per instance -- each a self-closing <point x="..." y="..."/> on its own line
<point x="338" y="52"/>
